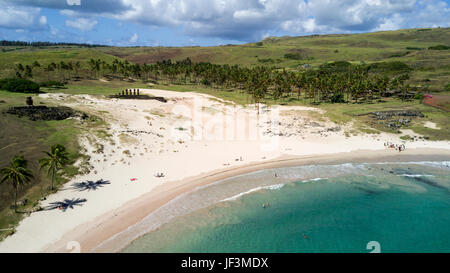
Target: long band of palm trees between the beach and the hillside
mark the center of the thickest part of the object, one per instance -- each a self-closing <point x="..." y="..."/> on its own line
<point x="337" y="82"/>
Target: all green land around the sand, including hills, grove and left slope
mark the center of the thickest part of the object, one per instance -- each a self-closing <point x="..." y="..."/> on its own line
<point x="349" y="76"/>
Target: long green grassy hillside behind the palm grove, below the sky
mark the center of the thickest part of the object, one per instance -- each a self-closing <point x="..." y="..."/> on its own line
<point x="430" y="67"/>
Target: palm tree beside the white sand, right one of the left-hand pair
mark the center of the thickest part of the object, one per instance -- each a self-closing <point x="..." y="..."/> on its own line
<point x="55" y="160"/>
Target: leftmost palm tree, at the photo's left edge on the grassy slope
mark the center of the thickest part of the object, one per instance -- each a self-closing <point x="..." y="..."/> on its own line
<point x="16" y="174"/>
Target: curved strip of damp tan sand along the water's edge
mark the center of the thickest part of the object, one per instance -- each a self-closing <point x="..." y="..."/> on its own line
<point x="100" y="235"/>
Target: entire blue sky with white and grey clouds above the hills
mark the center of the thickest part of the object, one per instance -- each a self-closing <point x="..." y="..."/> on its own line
<point x="207" y="22"/>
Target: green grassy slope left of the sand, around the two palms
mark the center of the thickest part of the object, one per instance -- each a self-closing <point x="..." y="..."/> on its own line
<point x="21" y="136"/>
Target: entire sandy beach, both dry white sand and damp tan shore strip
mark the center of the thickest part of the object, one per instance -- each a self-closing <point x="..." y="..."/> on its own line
<point x="193" y="140"/>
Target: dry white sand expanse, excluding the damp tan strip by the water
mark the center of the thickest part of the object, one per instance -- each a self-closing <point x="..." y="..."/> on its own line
<point x="189" y="135"/>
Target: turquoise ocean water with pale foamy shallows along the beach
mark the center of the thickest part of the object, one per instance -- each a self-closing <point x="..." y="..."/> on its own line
<point x="405" y="207"/>
